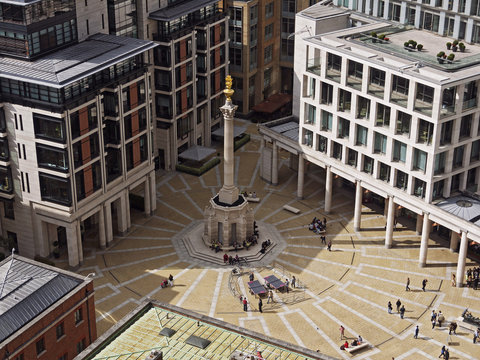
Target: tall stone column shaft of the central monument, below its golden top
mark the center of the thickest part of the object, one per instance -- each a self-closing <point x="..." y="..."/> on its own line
<point x="229" y="192"/>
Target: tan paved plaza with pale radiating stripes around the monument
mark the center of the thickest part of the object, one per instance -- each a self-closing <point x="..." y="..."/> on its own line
<point x="349" y="286"/>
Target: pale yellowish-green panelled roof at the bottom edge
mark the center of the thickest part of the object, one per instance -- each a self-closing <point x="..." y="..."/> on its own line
<point x="183" y="334"/>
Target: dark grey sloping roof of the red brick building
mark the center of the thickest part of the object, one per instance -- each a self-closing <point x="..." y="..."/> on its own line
<point x="27" y="288"/>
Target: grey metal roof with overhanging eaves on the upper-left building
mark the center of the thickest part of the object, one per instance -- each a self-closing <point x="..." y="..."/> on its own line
<point x="66" y="66"/>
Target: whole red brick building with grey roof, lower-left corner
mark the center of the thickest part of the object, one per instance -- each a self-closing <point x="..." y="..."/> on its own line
<point x="45" y="312"/>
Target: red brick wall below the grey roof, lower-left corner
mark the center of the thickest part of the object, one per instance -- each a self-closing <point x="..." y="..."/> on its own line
<point x="25" y="342"/>
